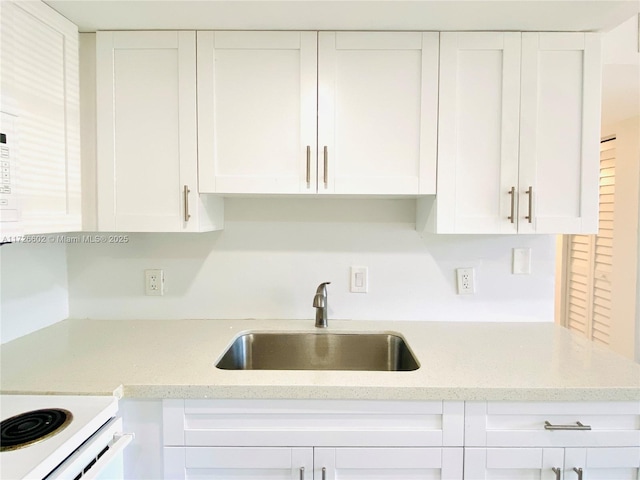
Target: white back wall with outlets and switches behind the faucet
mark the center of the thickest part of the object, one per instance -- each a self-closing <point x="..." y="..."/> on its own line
<point x="273" y="253"/>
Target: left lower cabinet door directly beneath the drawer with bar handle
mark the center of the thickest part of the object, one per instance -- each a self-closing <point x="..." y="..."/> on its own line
<point x="513" y="463"/>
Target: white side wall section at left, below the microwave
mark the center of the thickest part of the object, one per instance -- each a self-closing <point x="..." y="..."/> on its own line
<point x="33" y="288"/>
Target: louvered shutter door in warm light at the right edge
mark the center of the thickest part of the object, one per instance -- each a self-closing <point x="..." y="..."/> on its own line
<point x="589" y="263"/>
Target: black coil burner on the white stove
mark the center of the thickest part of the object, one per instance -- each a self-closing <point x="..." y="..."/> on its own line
<point x="31" y="427"/>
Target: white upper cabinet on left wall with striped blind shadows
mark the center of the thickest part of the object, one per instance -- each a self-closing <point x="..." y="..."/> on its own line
<point x="40" y="93"/>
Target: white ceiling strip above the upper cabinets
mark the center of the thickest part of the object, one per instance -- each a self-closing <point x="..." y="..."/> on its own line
<point x="536" y="15"/>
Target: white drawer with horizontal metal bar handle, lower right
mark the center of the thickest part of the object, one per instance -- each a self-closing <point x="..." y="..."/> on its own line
<point x="587" y="424"/>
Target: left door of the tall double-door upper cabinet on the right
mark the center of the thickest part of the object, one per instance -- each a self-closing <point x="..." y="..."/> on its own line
<point x="478" y="133"/>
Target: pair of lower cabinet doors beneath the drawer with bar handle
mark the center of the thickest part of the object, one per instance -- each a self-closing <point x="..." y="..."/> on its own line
<point x="552" y="463"/>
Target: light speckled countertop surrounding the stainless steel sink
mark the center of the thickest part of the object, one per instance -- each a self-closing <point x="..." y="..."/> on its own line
<point x="176" y="359"/>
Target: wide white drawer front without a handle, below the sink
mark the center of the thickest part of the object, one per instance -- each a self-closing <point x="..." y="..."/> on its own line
<point x="318" y="423"/>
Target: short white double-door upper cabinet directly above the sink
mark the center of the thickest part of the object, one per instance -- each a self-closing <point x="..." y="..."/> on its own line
<point x="307" y="112"/>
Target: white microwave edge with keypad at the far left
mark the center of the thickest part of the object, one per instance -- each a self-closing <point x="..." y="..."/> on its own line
<point x="10" y="213"/>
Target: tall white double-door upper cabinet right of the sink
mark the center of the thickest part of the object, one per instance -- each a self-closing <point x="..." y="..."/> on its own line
<point x="518" y="133"/>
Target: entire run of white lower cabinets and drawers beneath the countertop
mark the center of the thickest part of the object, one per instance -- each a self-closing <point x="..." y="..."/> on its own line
<point x="400" y="440"/>
